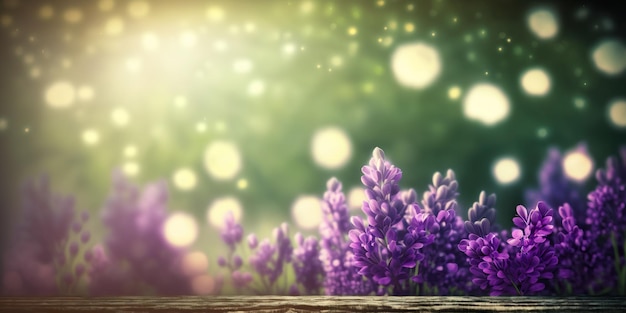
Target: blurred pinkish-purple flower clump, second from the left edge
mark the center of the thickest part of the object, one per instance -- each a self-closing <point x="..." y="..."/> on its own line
<point x="135" y="258"/>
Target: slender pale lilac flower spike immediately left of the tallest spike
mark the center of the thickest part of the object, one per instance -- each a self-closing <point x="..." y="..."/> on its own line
<point x="341" y="277"/>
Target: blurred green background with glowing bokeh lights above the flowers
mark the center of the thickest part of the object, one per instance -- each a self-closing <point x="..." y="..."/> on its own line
<point x="257" y="104"/>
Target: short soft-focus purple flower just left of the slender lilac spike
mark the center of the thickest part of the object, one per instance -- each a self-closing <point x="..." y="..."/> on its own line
<point x="307" y="266"/>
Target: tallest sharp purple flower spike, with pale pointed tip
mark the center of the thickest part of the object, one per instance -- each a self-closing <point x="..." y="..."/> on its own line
<point x="388" y="248"/>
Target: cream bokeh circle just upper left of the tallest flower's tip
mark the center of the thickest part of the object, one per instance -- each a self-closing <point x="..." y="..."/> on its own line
<point x="331" y="147"/>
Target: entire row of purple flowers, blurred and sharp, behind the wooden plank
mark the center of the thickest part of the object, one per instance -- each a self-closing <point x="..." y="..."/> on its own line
<point x="397" y="248"/>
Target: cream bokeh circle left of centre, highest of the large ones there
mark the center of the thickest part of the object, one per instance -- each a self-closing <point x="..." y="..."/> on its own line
<point x="222" y="160"/>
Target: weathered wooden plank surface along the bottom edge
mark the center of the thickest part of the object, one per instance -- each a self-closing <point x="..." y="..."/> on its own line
<point x="310" y="304"/>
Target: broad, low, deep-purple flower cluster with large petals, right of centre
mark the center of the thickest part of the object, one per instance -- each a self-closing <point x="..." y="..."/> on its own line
<point x="524" y="265"/>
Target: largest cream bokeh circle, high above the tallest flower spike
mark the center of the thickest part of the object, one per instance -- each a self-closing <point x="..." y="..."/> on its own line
<point x="415" y="65"/>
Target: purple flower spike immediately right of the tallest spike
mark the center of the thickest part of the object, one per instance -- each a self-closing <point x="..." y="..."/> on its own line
<point x="445" y="268"/>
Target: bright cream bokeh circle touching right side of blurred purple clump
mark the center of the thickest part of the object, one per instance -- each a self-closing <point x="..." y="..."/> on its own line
<point x="180" y="229"/>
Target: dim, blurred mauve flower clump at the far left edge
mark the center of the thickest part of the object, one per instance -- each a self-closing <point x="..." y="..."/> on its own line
<point x="43" y="254"/>
